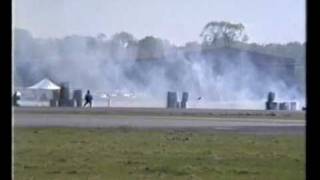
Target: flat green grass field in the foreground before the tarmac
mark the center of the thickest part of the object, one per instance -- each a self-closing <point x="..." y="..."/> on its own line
<point x="73" y="153"/>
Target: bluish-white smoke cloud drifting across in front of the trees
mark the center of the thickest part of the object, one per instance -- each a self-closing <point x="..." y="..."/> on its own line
<point x="107" y="65"/>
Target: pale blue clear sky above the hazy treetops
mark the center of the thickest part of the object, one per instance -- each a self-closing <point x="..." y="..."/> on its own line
<point x="178" y="21"/>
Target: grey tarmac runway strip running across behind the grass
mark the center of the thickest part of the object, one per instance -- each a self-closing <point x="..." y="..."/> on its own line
<point x="240" y="121"/>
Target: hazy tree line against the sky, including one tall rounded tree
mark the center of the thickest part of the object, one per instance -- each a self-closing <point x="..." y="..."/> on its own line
<point x="41" y="55"/>
